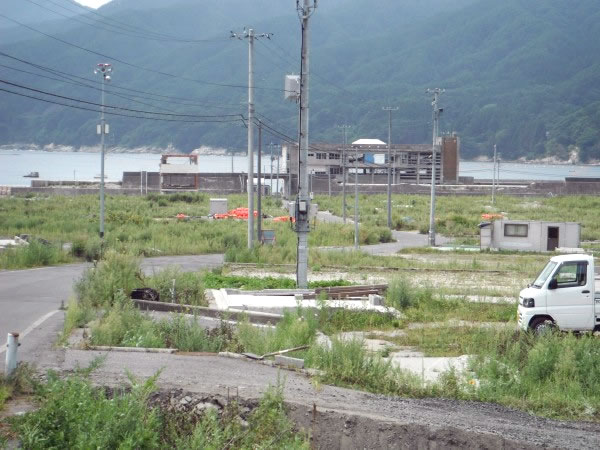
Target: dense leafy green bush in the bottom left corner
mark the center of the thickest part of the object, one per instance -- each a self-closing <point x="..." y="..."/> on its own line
<point x="74" y="414"/>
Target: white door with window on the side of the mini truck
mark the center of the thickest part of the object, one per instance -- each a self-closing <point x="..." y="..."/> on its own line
<point x="570" y="296"/>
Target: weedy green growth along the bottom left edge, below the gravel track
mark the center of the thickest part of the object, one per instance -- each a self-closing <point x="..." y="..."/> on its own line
<point x="75" y="414"/>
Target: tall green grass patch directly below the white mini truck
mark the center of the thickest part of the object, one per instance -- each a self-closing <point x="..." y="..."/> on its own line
<point x="556" y="375"/>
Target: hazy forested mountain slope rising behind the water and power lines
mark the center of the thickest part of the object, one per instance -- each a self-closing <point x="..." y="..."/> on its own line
<point x="518" y="73"/>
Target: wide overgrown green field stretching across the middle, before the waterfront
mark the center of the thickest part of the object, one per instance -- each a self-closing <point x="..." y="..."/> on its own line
<point x="146" y="226"/>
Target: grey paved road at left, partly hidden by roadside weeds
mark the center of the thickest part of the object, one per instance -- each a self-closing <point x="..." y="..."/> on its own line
<point x="29" y="296"/>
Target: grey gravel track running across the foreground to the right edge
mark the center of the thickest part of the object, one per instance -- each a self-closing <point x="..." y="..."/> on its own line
<point x="428" y="422"/>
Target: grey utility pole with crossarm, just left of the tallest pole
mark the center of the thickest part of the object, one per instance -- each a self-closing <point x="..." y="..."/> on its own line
<point x="249" y="34"/>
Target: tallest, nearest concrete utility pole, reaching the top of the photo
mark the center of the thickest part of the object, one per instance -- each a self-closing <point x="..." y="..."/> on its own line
<point x="303" y="200"/>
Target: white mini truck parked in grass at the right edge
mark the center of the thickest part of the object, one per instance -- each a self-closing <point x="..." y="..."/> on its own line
<point x="563" y="296"/>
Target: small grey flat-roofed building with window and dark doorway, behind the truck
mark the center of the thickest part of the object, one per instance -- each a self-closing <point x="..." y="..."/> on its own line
<point x="529" y="235"/>
